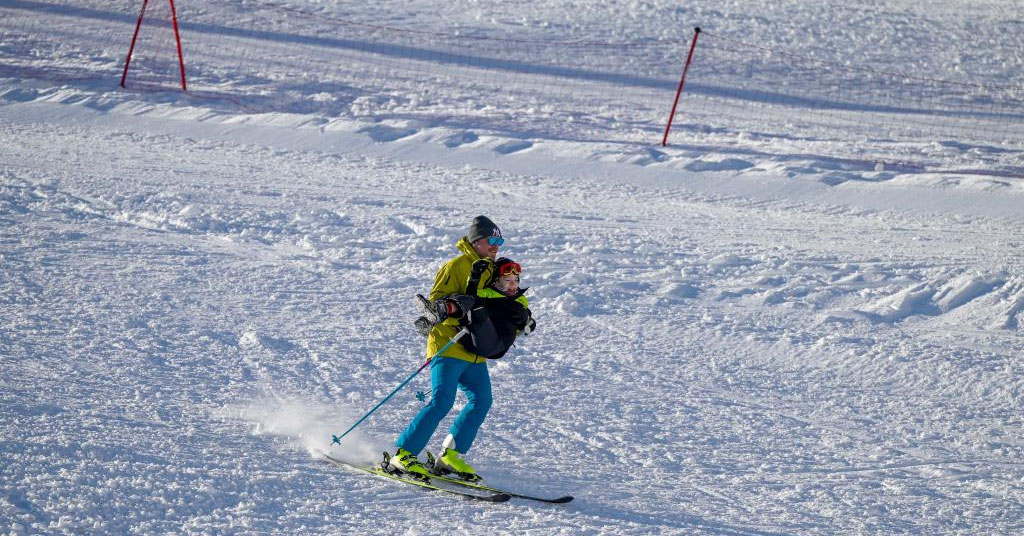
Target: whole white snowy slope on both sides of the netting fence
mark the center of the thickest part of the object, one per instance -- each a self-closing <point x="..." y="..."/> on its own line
<point x="195" y="298"/>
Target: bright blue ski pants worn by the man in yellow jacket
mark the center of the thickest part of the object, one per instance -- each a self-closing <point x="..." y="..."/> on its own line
<point x="447" y="377"/>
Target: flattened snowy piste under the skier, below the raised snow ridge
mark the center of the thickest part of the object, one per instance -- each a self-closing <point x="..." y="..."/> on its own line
<point x="703" y="355"/>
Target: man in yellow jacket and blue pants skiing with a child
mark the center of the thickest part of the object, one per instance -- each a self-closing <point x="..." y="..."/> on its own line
<point x="453" y="302"/>
